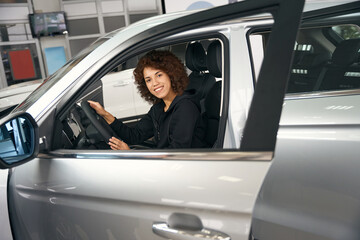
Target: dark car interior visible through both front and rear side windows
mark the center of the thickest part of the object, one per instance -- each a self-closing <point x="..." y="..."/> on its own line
<point x="324" y="60"/>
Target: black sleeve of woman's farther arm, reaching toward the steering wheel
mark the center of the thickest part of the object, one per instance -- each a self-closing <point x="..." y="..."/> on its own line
<point x="142" y="131"/>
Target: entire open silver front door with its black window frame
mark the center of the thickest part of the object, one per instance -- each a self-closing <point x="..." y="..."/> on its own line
<point x="119" y="195"/>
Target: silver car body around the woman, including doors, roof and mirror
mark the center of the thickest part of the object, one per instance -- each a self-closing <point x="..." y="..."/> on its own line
<point x="64" y="188"/>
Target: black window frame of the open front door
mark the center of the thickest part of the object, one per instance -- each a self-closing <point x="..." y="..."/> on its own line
<point x="214" y="16"/>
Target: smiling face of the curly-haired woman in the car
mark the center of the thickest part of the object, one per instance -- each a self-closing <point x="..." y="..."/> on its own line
<point x="158" y="83"/>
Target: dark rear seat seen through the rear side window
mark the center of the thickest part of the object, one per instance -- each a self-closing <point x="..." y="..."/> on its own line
<point x="344" y="70"/>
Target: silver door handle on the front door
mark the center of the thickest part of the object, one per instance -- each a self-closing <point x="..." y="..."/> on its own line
<point x="182" y="226"/>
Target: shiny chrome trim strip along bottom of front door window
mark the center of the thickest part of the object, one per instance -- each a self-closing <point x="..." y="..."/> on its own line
<point x="194" y="155"/>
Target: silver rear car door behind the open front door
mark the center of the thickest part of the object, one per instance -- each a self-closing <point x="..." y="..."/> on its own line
<point x="311" y="190"/>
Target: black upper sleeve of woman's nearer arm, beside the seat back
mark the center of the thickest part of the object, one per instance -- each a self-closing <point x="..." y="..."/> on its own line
<point x="183" y="124"/>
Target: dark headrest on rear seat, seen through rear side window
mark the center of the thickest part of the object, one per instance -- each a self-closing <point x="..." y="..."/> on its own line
<point x="347" y="52"/>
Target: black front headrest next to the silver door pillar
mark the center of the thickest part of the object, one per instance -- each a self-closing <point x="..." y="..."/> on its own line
<point x="214" y="59"/>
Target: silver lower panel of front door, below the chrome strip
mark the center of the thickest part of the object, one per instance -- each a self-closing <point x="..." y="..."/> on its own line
<point x="126" y="196"/>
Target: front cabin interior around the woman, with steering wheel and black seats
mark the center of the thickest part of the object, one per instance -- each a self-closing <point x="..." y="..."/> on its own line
<point x="81" y="128"/>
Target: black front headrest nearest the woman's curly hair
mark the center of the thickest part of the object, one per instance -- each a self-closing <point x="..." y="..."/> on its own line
<point x="195" y="57"/>
